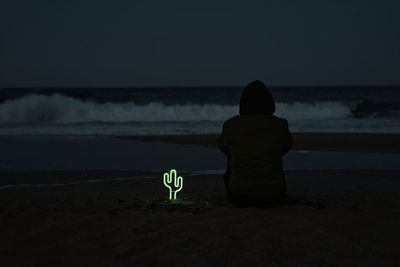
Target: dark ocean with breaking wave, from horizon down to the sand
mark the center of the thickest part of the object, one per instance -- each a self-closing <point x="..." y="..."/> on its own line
<point x="191" y="110"/>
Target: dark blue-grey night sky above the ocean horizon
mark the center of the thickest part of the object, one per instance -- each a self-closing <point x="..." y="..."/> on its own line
<point x="167" y="43"/>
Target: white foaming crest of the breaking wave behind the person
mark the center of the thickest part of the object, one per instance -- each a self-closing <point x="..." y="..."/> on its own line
<point x="61" y="109"/>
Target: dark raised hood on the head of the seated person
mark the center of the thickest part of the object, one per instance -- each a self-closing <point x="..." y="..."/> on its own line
<point x="256" y="99"/>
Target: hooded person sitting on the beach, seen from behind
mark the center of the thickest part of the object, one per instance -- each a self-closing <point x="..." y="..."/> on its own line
<point x="254" y="142"/>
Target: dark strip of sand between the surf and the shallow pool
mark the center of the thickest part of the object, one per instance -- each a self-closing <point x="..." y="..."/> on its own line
<point x="350" y="142"/>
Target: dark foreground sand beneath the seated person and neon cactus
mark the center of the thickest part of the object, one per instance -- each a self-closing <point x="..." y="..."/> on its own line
<point x="330" y="218"/>
